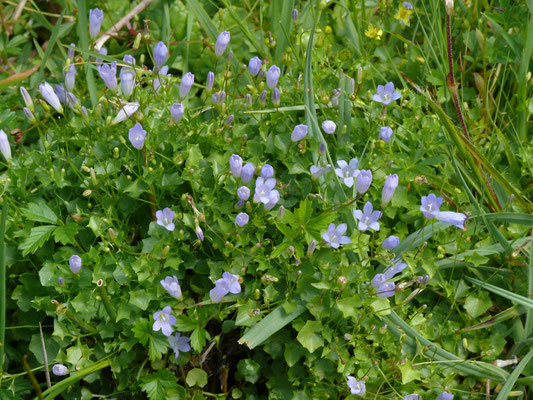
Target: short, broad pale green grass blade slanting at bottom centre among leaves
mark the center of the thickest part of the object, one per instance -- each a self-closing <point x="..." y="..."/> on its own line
<point x="272" y="323"/>
